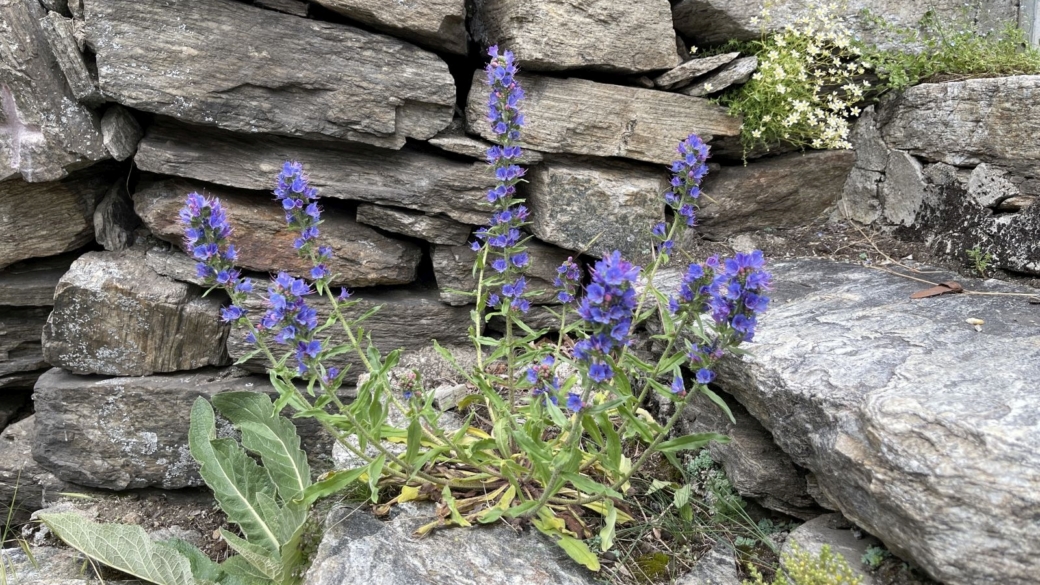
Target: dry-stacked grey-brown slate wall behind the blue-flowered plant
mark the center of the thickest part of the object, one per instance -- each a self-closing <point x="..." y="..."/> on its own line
<point x="113" y="111"/>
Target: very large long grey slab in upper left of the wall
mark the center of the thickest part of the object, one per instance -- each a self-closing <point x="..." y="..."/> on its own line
<point x="305" y="79"/>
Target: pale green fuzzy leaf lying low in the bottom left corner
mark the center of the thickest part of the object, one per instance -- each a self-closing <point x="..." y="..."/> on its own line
<point x="125" y="548"/>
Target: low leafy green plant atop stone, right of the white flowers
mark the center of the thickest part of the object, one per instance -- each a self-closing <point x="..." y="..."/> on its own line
<point x="943" y="47"/>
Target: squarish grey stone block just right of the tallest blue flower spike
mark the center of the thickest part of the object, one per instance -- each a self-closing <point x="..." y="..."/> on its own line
<point x="596" y="207"/>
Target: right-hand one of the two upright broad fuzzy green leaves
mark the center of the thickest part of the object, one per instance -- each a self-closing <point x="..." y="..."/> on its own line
<point x="271" y="437"/>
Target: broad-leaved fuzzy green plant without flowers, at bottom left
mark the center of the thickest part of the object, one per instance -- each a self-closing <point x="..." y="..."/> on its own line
<point x="267" y="502"/>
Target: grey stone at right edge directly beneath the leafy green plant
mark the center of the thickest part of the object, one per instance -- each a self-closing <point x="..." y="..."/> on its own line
<point x="965" y="123"/>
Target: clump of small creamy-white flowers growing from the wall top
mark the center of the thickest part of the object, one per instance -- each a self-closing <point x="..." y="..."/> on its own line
<point x="808" y="86"/>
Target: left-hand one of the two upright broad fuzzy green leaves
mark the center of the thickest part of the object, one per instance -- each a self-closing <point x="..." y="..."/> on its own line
<point x="235" y="478"/>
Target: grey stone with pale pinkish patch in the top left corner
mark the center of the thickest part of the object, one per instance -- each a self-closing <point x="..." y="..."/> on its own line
<point x="44" y="131"/>
